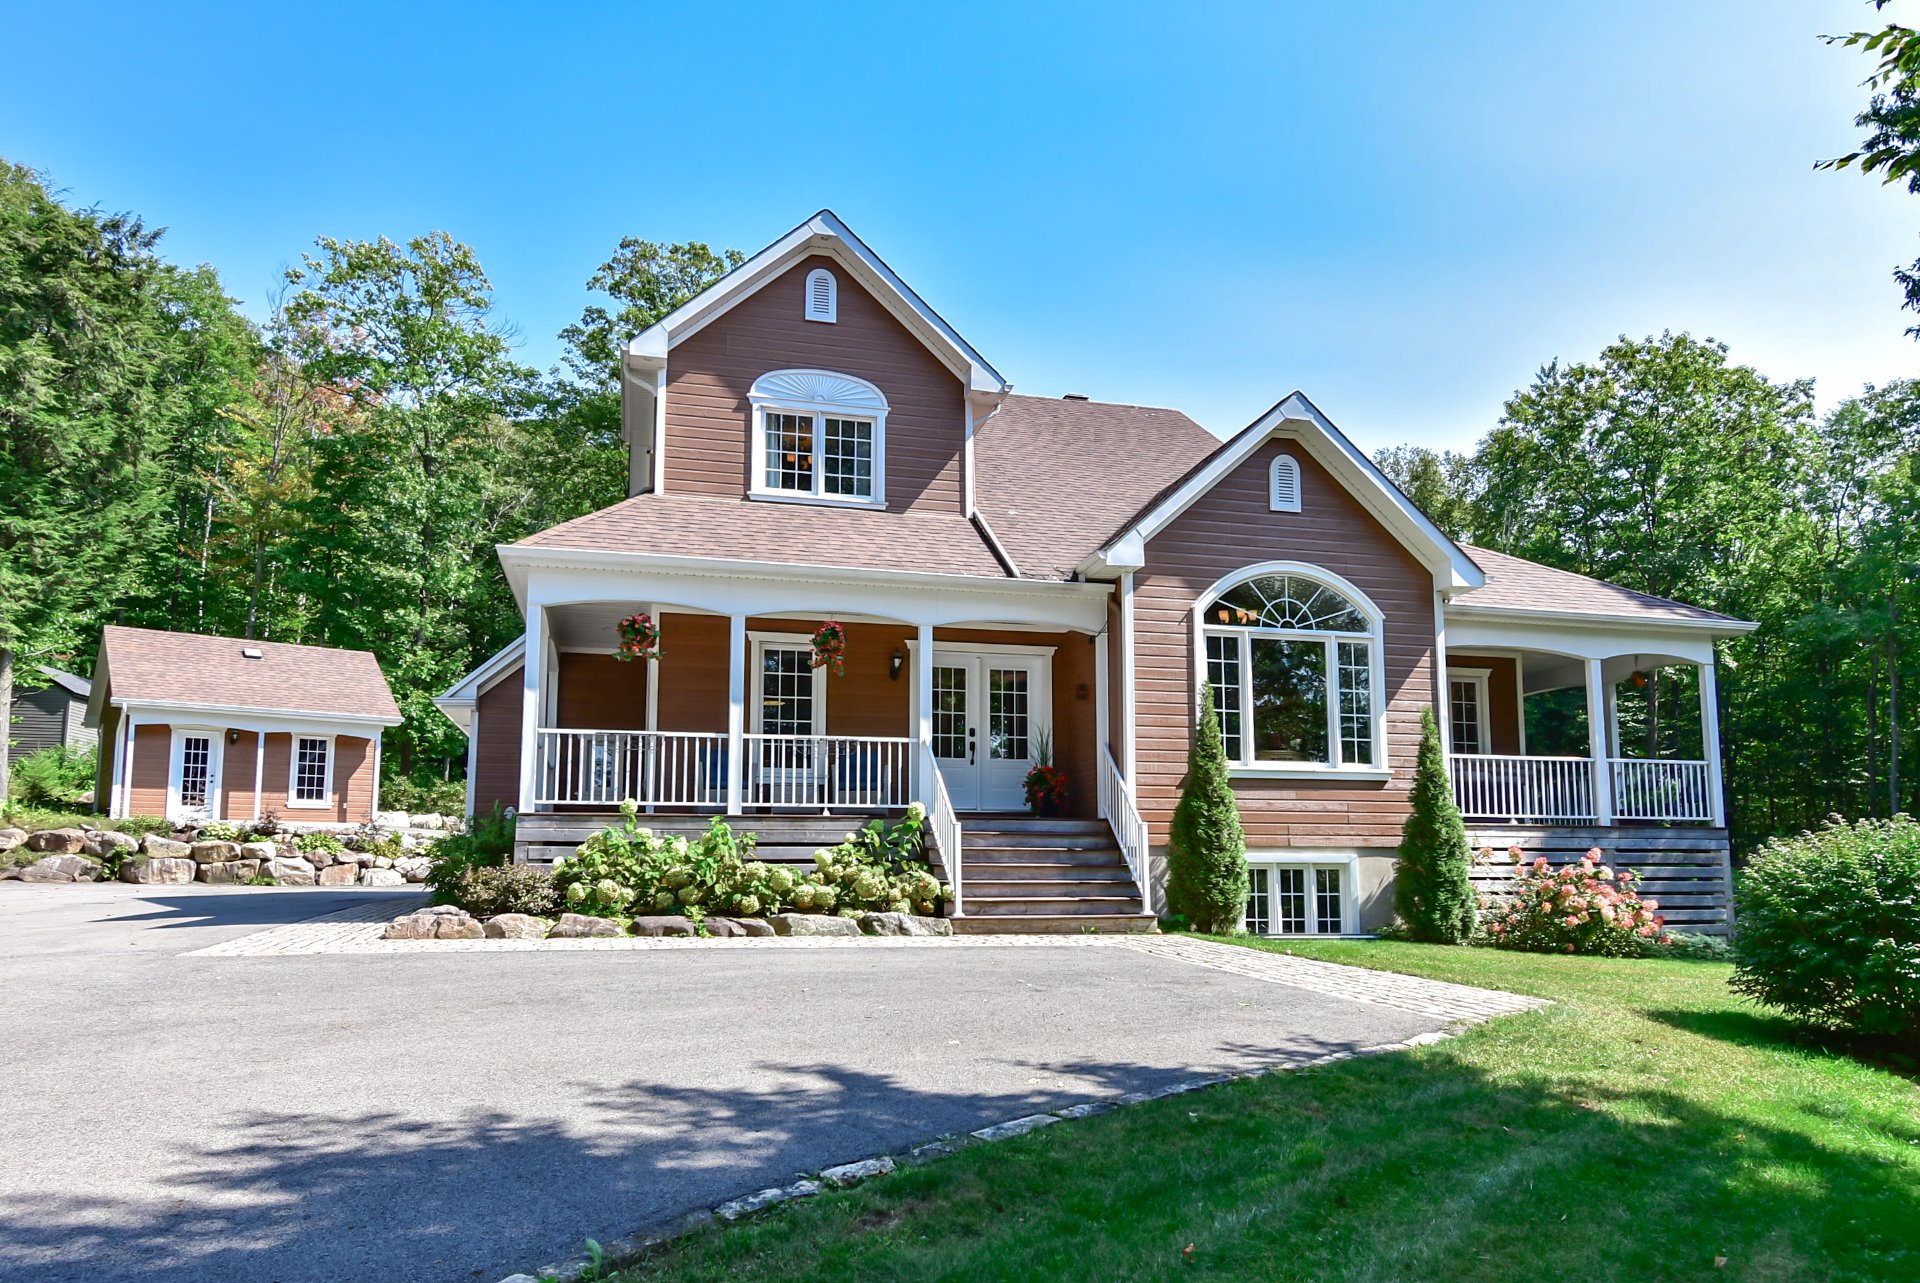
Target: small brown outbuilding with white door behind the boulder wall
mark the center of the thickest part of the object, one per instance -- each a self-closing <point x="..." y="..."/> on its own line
<point x="224" y="729"/>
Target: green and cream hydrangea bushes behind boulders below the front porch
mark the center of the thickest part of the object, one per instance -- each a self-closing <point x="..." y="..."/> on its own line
<point x="629" y="871"/>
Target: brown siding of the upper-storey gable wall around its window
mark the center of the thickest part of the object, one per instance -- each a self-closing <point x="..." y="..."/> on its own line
<point x="709" y="375"/>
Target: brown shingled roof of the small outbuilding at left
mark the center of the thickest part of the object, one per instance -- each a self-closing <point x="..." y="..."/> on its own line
<point x="183" y="667"/>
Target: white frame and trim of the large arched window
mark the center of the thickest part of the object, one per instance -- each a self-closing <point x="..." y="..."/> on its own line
<point x="1376" y="639"/>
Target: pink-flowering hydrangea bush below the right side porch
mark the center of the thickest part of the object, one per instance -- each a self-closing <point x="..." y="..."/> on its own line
<point x="1581" y="908"/>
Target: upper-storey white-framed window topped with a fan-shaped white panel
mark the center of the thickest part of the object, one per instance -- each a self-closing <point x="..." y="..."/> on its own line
<point x="819" y="437"/>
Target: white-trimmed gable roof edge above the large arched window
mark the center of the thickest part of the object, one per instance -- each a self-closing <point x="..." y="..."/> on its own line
<point x="1297" y="418"/>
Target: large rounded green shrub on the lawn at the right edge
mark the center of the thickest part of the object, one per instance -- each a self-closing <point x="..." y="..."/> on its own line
<point x="1829" y="927"/>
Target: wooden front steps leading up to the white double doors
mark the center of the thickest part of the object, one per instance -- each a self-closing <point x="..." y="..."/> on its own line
<point x="1053" y="877"/>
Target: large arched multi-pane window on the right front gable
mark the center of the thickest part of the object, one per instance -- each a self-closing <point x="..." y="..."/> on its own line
<point x="1293" y="656"/>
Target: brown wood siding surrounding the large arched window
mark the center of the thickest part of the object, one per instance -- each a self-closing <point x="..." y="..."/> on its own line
<point x="1232" y="529"/>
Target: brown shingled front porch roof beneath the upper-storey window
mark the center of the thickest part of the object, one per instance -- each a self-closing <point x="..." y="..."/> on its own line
<point x="805" y="535"/>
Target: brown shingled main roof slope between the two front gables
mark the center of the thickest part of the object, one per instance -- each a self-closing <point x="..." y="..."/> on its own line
<point x="1055" y="479"/>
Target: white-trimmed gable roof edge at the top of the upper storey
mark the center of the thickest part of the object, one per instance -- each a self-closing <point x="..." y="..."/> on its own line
<point x="823" y="233"/>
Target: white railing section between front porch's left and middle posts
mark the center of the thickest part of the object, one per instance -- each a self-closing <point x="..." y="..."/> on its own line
<point x="608" y="767"/>
